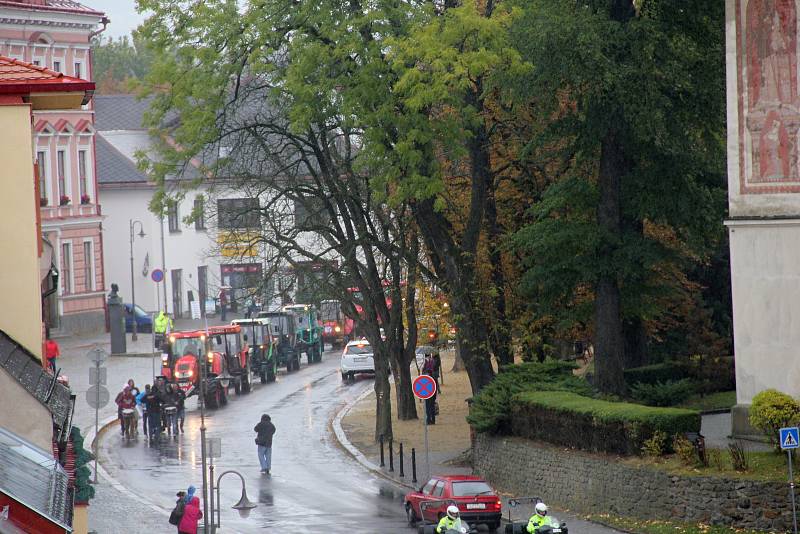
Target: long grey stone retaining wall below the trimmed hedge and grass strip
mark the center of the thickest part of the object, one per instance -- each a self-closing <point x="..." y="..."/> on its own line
<point x="595" y="483"/>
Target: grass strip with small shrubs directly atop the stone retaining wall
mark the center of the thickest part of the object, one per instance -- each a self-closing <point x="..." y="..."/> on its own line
<point x="763" y="466"/>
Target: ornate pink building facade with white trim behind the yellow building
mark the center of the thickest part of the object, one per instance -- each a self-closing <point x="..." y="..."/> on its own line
<point x="56" y="34"/>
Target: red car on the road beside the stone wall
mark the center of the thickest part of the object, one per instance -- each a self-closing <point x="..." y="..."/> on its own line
<point x="477" y="502"/>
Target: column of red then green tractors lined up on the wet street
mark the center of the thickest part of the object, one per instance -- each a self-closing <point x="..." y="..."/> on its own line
<point x="213" y="360"/>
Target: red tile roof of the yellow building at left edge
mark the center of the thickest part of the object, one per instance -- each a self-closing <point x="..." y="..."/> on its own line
<point x="19" y="77"/>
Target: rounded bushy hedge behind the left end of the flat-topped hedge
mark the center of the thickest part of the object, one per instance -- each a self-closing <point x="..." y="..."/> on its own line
<point x="490" y="410"/>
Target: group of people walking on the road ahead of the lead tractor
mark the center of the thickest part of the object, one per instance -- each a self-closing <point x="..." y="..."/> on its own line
<point x="161" y="407"/>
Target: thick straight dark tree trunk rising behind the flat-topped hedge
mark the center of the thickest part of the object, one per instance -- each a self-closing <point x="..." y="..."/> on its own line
<point x="609" y="344"/>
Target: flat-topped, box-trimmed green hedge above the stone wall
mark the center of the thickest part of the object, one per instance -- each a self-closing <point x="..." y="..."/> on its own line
<point x="564" y="418"/>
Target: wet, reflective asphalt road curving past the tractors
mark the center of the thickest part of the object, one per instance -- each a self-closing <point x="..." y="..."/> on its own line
<point x="314" y="487"/>
